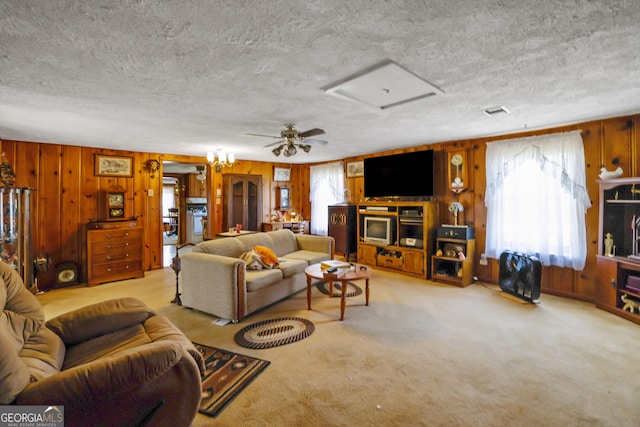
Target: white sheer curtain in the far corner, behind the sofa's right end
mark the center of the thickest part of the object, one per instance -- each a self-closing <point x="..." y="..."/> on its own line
<point x="326" y="188"/>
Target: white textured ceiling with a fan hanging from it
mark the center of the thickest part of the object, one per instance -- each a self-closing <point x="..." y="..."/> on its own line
<point x="185" y="77"/>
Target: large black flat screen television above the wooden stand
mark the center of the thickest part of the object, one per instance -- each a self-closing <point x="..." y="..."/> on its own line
<point x="405" y="175"/>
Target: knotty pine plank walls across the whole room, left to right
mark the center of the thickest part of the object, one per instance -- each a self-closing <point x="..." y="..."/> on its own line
<point x="67" y="194"/>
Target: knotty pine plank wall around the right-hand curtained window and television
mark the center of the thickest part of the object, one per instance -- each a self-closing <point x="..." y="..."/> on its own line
<point x="609" y="142"/>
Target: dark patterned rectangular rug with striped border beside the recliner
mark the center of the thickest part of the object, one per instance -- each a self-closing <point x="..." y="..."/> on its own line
<point x="226" y="375"/>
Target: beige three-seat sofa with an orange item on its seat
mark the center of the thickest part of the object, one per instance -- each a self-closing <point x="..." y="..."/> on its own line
<point x="215" y="279"/>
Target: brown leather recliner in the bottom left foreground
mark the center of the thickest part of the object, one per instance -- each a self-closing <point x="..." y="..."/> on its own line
<point x="111" y="363"/>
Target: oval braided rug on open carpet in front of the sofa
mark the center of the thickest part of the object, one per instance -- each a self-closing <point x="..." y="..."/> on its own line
<point x="274" y="332"/>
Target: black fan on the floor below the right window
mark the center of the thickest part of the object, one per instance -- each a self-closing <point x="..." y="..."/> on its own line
<point x="520" y="275"/>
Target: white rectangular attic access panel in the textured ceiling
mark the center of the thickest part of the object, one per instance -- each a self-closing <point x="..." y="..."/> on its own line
<point x="383" y="86"/>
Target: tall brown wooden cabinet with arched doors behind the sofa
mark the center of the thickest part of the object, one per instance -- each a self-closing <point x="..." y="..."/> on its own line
<point x="242" y="201"/>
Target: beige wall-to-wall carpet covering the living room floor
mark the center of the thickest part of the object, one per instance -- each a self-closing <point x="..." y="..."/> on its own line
<point x="420" y="354"/>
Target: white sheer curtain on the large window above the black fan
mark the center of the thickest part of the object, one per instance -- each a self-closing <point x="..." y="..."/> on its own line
<point x="536" y="198"/>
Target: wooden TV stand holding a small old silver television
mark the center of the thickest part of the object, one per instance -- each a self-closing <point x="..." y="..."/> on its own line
<point x="412" y="224"/>
